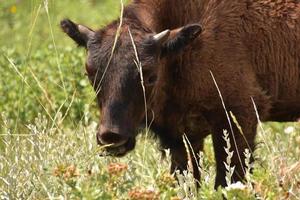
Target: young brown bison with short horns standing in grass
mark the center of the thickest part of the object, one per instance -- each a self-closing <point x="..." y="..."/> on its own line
<point x="250" y="46"/>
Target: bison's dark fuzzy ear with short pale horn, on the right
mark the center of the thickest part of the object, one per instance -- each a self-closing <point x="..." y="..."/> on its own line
<point x="175" y="40"/>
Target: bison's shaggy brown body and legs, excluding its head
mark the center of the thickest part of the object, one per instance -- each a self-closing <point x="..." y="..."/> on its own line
<point x="251" y="47"/>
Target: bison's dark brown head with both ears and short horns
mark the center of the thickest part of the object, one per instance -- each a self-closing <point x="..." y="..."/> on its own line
<point x="114" y="66"/>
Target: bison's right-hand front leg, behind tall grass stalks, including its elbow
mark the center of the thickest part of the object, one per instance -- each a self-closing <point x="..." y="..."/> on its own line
<point x="244" y="112"/>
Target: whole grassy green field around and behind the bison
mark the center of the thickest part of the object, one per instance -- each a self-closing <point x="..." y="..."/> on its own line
<point x="48" y="120"/>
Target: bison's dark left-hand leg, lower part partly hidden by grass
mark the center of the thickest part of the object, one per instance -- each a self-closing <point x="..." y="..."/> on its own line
<point x="179" y="158"/>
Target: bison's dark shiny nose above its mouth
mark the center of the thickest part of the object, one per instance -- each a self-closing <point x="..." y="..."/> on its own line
<point x="109" y="137"/>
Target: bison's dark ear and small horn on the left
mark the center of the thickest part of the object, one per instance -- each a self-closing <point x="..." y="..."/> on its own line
<point x="79" y="33"/>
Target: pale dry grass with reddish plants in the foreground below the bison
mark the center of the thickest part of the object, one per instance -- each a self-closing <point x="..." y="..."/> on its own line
<point x="47" y="162"/>
